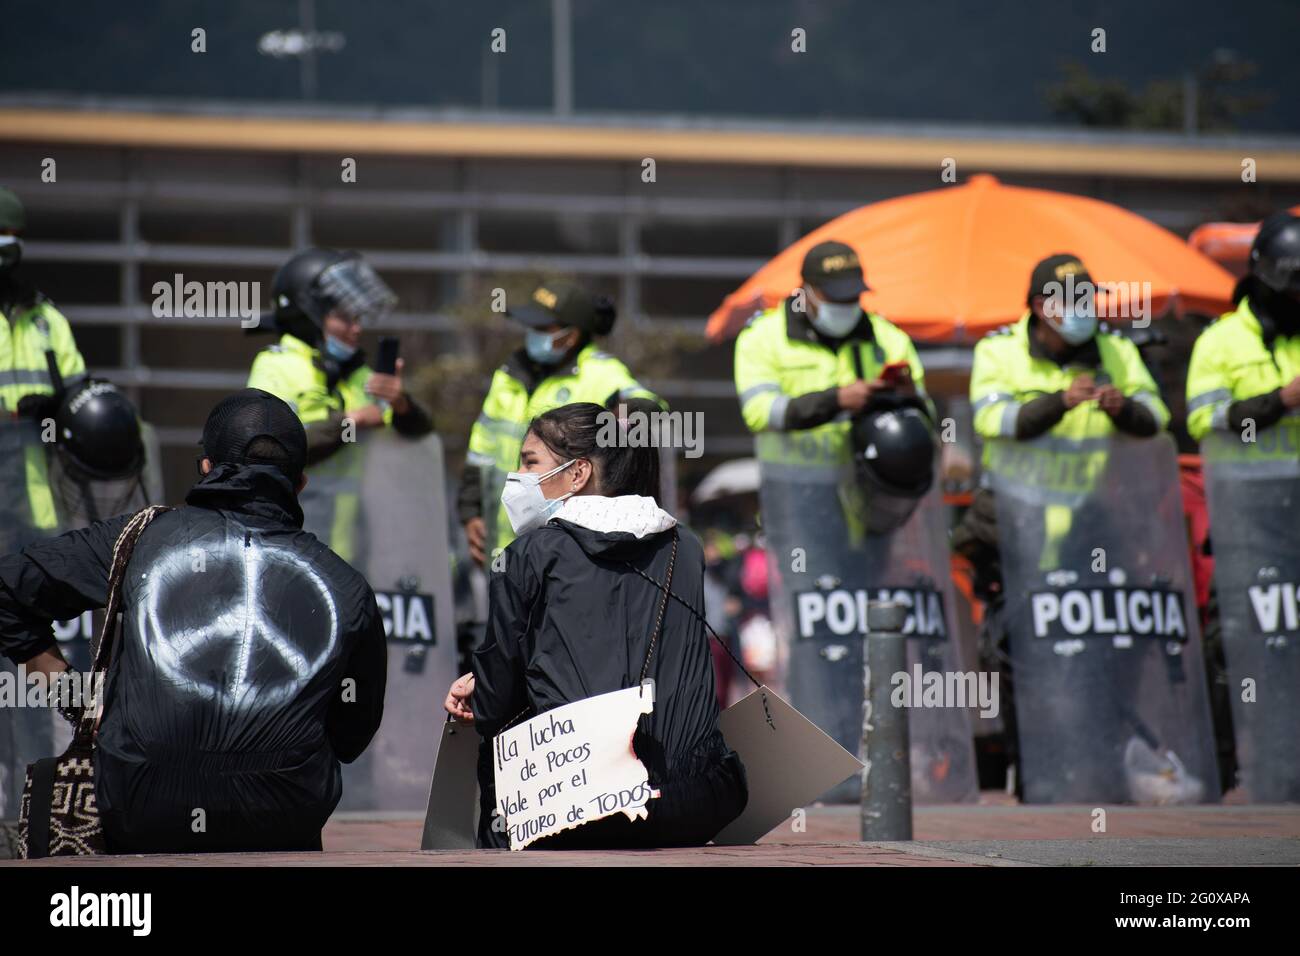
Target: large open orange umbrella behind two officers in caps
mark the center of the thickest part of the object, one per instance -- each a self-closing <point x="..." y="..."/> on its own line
<point x="954" y="263"/>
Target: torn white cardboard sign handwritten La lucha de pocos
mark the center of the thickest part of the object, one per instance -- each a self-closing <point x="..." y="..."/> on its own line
<point x="573" y="765"/>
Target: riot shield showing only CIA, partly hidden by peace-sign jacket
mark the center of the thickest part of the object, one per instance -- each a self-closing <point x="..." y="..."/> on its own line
<point x="380" y="503"/>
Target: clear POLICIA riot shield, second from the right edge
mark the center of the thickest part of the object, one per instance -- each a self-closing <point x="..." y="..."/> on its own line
<point x="1106" y="650"/>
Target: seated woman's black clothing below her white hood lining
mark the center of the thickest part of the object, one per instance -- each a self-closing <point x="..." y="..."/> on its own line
<point x="569" y="620"/>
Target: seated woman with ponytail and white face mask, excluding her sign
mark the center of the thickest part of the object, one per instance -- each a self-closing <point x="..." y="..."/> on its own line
<point x="570" y="617"/>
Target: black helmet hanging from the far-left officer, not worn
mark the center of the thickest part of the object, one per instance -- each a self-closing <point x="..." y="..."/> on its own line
<point x="98" y="431"/>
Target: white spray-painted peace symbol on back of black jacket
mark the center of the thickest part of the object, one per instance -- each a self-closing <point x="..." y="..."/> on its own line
<point x="245" y="624"/>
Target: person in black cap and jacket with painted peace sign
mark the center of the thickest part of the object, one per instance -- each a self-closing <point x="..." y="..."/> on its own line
<point x="253" y="660"/>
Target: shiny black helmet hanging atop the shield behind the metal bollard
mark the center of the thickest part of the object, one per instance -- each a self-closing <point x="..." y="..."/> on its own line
<point x="894" y="453"/>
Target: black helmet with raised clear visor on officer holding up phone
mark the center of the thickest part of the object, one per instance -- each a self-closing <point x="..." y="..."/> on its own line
<point x="319" y="282"/>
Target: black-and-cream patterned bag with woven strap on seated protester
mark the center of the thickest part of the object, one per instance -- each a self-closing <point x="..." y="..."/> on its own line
<point x="59" y="815"/>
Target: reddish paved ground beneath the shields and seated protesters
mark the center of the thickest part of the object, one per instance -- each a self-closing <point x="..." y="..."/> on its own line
<point x="995" y="833"/>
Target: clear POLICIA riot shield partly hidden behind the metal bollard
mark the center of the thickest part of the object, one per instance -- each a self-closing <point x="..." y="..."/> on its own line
<point x="825" y="568"/>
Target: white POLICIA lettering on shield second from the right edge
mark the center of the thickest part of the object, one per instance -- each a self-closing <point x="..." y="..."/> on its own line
<point x="1108" y="612"/>
